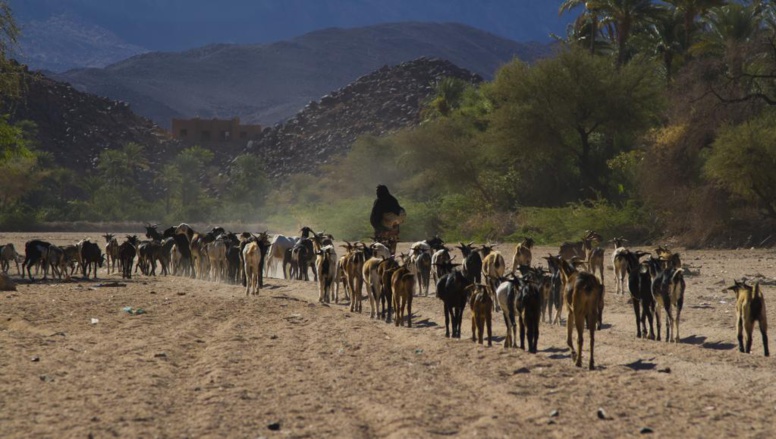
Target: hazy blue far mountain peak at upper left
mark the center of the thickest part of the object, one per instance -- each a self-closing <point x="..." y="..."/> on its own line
<point x="64" y="42"/>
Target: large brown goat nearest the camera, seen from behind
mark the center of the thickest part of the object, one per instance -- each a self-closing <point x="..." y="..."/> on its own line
<point x="583" y="295"/>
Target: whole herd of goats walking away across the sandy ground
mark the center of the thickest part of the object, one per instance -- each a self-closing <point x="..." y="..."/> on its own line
<point x="525" y="295"/>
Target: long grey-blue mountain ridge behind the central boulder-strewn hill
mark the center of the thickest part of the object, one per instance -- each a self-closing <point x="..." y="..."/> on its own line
<point x="267" y="83"/>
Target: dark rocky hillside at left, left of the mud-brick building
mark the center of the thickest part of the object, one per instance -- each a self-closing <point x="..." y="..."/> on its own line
<point x="75" y="127"/>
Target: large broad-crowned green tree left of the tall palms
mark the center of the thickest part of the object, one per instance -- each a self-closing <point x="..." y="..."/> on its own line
<point x="573" y="113"/>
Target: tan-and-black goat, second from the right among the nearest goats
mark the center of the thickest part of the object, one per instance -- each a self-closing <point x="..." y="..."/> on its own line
<point x="668" y="290"/>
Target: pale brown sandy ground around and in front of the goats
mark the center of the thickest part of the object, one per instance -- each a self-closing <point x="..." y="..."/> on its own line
<point x="206" y="361"/>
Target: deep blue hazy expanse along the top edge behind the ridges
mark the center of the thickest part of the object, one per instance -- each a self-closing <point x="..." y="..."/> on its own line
<point x="175" y="25"/>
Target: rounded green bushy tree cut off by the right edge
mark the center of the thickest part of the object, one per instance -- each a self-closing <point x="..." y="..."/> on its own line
<point x="742" y="159"/>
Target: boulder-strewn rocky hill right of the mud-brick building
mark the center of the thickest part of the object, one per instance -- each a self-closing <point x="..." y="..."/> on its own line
<point x="383" y="101"/>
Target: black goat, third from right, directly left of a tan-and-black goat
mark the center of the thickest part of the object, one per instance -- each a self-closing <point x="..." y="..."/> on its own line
<point x="640" y="287"/>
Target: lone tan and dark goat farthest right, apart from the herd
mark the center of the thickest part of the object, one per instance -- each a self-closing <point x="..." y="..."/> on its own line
<point x="750" y="308"/>
